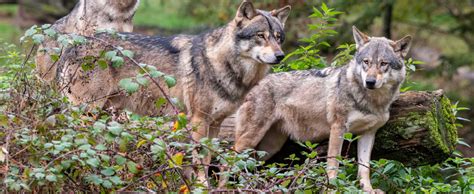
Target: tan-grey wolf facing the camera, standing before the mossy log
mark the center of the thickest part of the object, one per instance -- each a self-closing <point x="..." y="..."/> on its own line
<point x="316" y="105"/>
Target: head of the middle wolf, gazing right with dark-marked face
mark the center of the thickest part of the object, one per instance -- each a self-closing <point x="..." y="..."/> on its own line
<point x="259" y="34"/>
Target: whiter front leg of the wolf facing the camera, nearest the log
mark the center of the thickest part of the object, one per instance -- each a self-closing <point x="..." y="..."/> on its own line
<point x="364" y="150"/>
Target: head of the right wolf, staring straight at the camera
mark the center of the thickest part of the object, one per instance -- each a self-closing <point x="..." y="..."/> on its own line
<point x="379" y="60"/>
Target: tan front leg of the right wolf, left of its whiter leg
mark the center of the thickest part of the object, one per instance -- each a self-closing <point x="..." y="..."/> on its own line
<point x="335" y="146"/>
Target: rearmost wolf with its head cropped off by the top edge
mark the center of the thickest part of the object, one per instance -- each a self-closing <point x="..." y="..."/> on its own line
<point x="85" y="19"/>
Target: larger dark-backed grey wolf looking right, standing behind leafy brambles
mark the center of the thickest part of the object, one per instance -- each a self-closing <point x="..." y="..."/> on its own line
<point x="214" y="70"/>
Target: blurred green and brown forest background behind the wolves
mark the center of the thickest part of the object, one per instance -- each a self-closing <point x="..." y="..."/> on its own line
<point x="443" y="32"/>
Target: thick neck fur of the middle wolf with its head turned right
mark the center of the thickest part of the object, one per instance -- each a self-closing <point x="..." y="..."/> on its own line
<point x="235" y="74"/>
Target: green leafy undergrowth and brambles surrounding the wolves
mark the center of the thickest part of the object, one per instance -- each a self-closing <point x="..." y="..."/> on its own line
<point x="49" y="145"/>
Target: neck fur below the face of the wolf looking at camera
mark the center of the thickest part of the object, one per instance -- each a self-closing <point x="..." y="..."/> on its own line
<point x="376" y="100"/>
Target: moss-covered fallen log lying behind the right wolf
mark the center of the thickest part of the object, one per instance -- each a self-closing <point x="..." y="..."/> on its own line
<point x="421" y="130"/>
